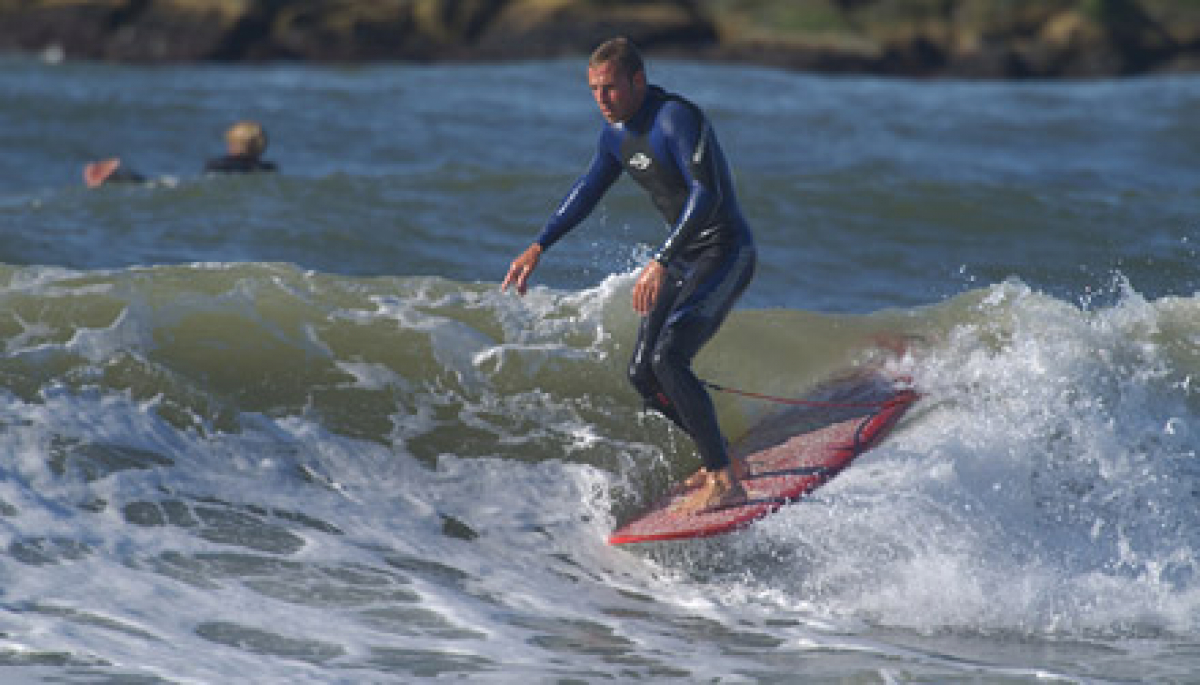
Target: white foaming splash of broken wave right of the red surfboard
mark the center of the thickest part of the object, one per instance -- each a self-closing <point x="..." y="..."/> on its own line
<point x="1048" y="484"/>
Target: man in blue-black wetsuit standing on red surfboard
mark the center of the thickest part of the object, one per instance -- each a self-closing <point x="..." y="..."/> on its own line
<point x="687" y="290"/>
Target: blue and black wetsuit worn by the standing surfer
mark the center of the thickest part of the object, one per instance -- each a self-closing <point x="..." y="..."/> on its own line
<point x="669" y="148"/>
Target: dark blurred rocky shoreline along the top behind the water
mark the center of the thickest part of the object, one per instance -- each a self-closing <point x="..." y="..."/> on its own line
<point x="927" y="39"/>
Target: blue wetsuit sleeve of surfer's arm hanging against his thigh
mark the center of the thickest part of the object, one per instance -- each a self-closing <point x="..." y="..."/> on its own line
<point x="688" y="137"/>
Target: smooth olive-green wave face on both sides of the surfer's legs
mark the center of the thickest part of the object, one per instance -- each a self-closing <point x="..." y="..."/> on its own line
<point x="213" y="342"/>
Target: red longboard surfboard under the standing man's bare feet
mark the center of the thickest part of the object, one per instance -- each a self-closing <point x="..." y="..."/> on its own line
<point x="789" y="456"/>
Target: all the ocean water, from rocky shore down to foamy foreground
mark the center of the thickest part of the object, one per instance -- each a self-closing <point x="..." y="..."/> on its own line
<point x="287" y="430"/>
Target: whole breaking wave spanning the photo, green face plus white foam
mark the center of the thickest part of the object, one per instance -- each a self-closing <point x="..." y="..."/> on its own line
<point x="1047" y="483"/>
